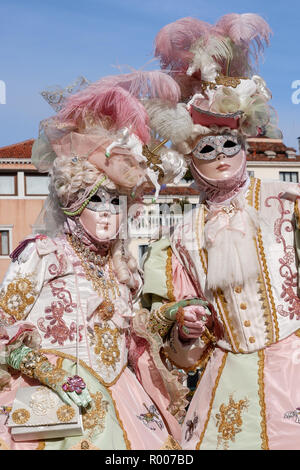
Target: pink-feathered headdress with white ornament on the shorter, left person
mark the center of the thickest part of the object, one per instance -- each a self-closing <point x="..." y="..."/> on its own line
<point x="110" y="117"/>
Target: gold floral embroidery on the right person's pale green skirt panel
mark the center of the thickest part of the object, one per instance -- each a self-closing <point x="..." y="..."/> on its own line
<point x="229" y="420"/>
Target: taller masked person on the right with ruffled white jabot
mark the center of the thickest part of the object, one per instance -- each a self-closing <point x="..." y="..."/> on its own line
<point x="224" y="287"/>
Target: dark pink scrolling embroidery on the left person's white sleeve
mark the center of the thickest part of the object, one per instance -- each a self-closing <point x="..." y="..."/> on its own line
<point x="58" y="329"/>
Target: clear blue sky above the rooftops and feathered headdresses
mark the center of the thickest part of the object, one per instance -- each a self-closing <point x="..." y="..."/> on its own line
<point x="52" y="42"/>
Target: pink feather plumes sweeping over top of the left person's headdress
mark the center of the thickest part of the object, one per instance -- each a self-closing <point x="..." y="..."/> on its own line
<point x="117" y="96"/>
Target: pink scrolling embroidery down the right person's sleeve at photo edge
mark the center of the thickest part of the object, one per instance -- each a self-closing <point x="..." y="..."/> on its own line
<point x="287" y="263"/>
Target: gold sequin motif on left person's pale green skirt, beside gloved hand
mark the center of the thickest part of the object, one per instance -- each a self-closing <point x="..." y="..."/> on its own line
<point x="94" y="415"/>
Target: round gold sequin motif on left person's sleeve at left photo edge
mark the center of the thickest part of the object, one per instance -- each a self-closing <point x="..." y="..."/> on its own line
<point x="19" y="294"/>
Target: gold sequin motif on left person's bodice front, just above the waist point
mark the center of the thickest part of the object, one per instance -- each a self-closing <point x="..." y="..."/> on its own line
<point x="107" y="345"/>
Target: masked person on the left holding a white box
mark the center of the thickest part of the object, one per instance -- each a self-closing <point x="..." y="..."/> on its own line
<point x="67" y="300"/>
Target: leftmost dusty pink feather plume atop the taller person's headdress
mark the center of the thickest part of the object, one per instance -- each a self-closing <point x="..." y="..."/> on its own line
<point x="173" y="42"/>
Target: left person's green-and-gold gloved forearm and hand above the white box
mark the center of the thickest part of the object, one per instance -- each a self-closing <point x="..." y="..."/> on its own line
<point x="36" y="365"/>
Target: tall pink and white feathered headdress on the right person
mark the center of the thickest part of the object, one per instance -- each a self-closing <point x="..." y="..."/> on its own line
<point x="215" y="67"/>
